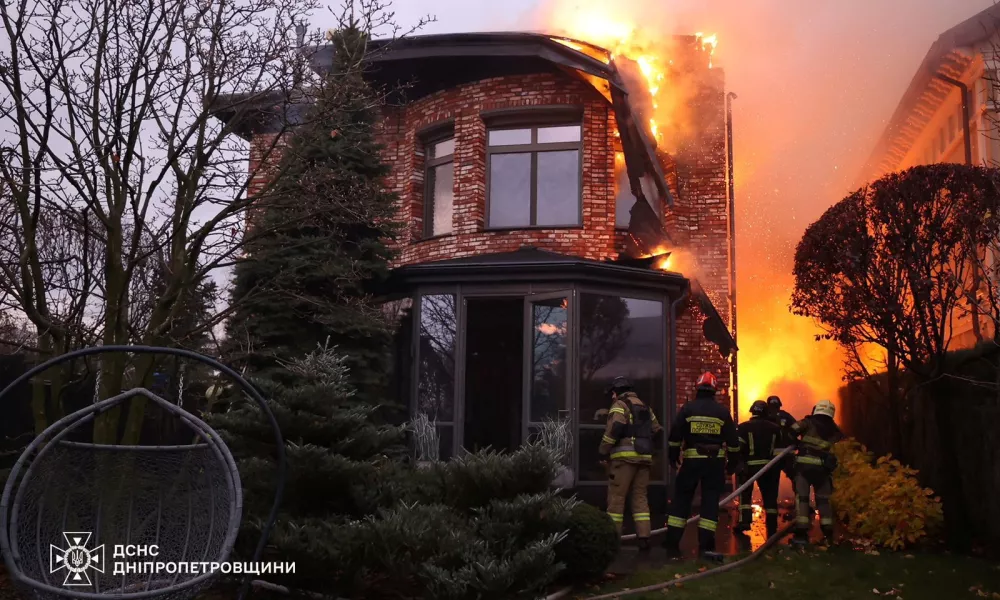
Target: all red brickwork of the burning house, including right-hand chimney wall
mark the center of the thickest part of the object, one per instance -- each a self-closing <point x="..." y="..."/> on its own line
<point x="697" y="175"/>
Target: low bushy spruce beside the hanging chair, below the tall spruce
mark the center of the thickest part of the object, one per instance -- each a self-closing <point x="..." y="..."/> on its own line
<point x="341" y="466"/>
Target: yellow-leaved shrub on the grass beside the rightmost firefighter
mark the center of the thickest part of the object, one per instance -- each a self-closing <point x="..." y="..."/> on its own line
<point x="880" y="500"/>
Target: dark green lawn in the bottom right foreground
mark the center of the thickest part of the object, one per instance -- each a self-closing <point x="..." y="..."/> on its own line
<point x="839" y="573"/>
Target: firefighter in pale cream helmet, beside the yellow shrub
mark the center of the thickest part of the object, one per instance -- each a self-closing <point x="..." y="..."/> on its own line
<point x="814" y="466"/>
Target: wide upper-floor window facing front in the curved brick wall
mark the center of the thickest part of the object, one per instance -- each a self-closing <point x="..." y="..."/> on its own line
<point x="534" y="176"/>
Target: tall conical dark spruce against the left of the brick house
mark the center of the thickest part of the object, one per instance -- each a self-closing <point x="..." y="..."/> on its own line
<point x="323" y="236"/>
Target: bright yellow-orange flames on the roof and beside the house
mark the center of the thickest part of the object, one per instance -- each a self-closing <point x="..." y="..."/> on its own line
<point x="779" y="354"/>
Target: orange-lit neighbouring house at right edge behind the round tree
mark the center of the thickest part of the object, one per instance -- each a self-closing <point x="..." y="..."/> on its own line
<point x="948" y="114"/>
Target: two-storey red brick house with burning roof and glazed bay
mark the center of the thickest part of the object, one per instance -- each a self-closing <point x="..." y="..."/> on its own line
<point x="533" y="203"/>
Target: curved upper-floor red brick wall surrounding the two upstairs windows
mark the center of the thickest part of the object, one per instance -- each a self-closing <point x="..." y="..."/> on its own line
<point x="596" y="239"/>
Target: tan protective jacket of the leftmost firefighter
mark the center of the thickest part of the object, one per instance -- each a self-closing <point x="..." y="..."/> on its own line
<point x="632" y="431"/>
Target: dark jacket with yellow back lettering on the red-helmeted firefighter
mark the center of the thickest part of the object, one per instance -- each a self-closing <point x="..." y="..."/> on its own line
<point x="701" y="428"/>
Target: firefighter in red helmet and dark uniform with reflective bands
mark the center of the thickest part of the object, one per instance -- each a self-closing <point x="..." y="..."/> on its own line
<point x="703" y="433"/>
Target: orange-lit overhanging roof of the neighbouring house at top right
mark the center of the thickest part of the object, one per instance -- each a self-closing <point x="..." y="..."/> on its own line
<point x="951" y="55"/>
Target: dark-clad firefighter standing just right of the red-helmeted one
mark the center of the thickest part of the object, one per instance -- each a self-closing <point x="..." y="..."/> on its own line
<point x="758" y="438"/>
